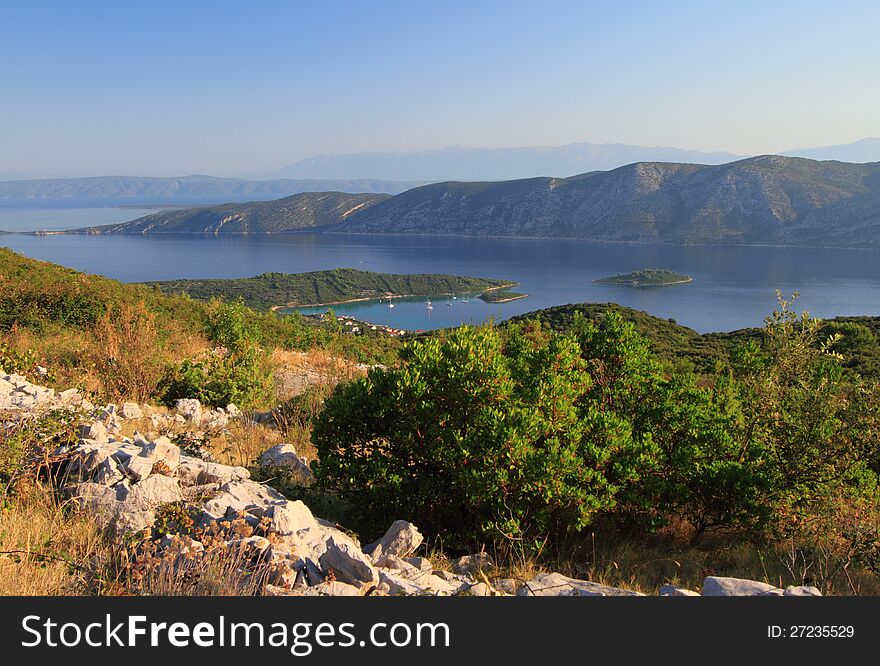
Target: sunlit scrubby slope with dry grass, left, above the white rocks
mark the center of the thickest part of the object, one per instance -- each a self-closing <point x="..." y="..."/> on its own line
<point x="127" y="341"/>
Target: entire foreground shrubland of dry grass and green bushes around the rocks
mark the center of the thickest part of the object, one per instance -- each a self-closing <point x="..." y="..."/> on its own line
<point x="590" y="439"/>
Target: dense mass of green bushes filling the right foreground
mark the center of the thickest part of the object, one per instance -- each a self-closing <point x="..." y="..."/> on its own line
<point x="526" y="437"/>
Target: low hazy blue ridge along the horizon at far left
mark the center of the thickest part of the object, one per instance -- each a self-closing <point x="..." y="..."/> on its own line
<point x="187" y="190"/>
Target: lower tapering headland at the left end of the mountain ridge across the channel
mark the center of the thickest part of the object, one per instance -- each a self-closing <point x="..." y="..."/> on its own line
<point x="300" y="211"/>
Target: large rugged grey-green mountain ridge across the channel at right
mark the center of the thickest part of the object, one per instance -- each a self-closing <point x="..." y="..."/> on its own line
<point x="767" y="199"/>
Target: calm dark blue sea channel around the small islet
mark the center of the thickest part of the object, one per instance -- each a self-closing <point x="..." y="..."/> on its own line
<point x="733" y="287"/>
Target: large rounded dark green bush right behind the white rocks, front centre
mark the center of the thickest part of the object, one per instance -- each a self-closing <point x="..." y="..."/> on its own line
<point x="487" y="439"/>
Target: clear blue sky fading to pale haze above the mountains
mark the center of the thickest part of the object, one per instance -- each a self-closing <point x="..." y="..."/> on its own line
<point x="167" y="88"/>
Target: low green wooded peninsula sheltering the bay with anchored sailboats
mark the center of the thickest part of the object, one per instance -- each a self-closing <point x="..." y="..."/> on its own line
<point x="326" y="287"/>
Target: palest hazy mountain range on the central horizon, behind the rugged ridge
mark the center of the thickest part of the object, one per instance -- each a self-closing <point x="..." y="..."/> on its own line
<point x="479" y="164"/>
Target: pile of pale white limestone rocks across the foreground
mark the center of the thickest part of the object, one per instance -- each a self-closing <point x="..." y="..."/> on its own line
<point x="125" y="483"/>
